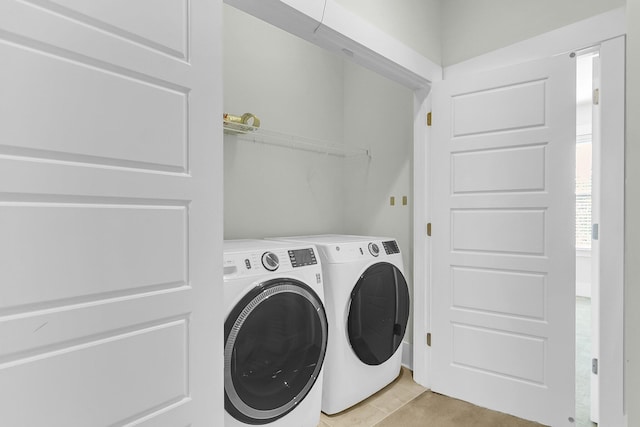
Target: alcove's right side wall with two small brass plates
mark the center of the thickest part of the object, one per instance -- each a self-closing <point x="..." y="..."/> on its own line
<point x="379" y="115"/>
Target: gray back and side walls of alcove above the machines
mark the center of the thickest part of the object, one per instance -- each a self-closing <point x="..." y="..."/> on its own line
<point x="299" y="89"/>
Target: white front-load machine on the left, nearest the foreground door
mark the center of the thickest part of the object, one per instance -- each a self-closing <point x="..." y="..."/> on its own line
<point x="275" y="334"/>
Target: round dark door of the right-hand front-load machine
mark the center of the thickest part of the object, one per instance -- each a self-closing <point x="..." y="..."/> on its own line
<point x="378" y="313"/>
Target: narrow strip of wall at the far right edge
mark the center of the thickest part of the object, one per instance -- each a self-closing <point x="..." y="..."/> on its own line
<point x="632" y="202"/>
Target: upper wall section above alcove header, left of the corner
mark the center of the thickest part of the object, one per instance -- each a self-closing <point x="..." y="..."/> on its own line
<point x="416" y="23"/>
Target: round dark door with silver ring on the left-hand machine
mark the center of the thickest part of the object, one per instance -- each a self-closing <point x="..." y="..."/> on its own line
<point x="275" y="343"/>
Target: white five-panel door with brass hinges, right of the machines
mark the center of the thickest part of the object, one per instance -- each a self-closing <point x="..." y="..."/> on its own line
<point x="503" y="307"/>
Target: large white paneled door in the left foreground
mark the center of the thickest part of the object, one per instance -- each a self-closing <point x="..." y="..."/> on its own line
<point x="110" y="213"/>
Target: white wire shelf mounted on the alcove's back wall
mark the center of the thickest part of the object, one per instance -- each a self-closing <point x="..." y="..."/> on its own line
<point x="259" y="135"/>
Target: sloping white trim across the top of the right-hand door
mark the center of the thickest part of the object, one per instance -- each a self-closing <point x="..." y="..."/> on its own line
<point x="582" y="34"/>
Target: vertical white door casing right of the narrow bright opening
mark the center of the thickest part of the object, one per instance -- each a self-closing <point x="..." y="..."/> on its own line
<point x="612" y="125"/>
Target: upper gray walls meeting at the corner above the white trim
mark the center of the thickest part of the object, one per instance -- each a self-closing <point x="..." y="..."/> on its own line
<point x="451" y="31"/>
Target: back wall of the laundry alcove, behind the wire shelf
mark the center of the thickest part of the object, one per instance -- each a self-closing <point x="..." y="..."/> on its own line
<point x="293" y="87"/>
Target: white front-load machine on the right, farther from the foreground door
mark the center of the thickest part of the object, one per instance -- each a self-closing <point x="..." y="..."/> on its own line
<point x="367" y="302"/>
